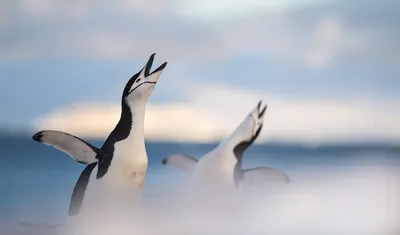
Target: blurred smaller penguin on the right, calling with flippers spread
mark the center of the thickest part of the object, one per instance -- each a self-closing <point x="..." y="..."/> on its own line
<point x="222" y="166"/>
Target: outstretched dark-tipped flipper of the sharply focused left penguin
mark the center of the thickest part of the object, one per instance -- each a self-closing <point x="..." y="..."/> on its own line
<point x="78" y="149"/>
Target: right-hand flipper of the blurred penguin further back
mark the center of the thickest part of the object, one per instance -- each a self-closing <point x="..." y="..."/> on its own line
<point x="260" y="175"/>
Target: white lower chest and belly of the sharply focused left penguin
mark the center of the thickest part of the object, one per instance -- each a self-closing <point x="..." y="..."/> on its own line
<point x="124" y="180"/>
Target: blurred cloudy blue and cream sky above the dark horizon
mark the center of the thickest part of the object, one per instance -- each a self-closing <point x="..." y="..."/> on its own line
<point x="329" y="70"/>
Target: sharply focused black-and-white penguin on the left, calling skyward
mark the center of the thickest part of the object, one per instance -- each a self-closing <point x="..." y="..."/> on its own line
<point x="120" y="165"/>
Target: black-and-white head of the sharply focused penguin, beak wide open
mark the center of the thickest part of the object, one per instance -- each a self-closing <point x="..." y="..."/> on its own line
<point x="139" y="87"/>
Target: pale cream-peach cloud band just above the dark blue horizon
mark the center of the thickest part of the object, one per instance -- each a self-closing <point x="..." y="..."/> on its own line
<point x="214" y="110"/>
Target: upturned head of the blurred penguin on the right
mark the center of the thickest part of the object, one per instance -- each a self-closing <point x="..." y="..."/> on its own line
<point x="250" y="128"/>
